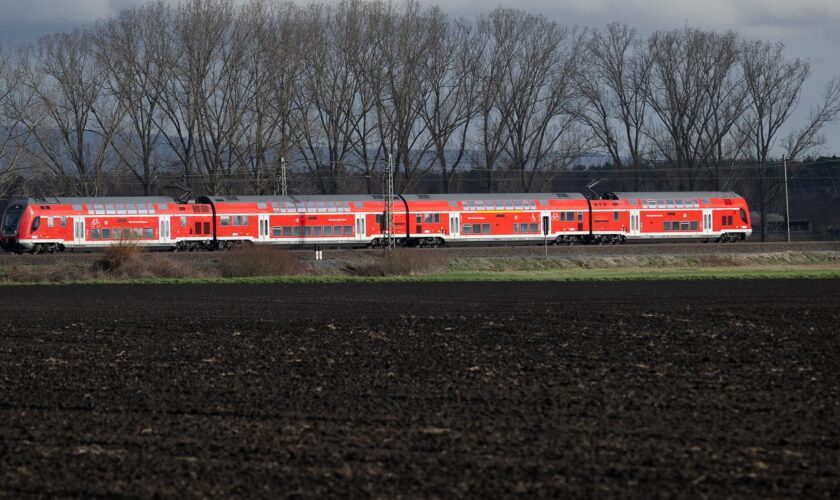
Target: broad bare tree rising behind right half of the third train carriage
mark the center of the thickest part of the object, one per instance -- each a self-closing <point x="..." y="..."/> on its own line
<point x="536" y="97"/>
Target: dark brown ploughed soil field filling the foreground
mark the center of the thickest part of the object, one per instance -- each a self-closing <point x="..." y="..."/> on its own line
<point x="487" y="389"/>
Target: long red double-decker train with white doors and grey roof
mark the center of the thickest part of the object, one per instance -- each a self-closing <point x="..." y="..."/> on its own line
<point x="54" y="224"/>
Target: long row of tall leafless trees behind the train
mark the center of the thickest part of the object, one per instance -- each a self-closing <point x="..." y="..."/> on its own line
<point x="211" y="96"/>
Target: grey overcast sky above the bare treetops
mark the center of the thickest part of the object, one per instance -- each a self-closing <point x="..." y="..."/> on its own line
<point x="809" y="28"/>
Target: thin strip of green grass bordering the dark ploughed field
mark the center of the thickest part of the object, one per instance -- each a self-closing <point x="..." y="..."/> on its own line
<point x="577" y="274"/>
